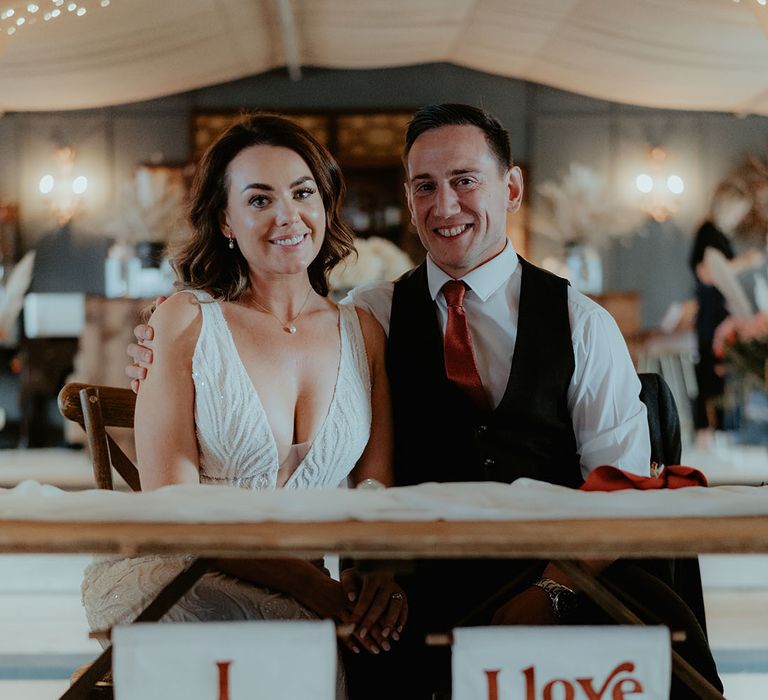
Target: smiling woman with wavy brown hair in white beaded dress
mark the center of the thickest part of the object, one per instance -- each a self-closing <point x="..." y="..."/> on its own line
<point x="260" y="381"/>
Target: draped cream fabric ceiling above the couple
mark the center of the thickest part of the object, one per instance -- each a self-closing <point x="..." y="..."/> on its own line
<point x="683" y="54"/>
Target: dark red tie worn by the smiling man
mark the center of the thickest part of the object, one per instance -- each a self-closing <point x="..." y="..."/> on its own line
<point x="460" y="366"/>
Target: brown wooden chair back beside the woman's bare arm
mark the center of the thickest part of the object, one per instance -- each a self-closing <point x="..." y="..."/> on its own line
<point x="96" y="408"/>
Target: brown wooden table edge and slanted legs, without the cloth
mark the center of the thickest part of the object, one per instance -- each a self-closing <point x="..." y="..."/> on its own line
<point x="562" y="541"/>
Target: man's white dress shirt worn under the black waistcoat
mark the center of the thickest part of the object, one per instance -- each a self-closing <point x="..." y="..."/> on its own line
<point x="609" y="419"/>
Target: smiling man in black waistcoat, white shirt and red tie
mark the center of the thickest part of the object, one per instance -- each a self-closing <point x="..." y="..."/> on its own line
<point x="499" y="370"/>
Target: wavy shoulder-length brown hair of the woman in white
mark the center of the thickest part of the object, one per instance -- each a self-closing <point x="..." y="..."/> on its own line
<point x="204" y="261"/>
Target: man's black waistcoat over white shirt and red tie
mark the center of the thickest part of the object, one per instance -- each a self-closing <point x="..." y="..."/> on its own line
<point x="439" y="433"/>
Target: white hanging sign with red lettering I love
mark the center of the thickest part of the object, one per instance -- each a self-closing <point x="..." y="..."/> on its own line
<point x="561" y="663"/>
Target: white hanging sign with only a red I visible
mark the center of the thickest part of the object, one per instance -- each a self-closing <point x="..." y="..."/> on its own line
<point x="225" y="661"/>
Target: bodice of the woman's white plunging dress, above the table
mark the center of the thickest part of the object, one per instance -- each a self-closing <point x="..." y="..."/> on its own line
<point x="244" y="452"/>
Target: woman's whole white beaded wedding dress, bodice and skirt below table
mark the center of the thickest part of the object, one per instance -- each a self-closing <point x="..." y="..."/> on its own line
<point x="237" y="448"/>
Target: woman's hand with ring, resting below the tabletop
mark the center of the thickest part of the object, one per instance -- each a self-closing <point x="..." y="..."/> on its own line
<point x="381" y="607"/>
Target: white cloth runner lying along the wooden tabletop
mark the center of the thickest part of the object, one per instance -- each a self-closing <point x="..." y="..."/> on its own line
<point x="526" y="499"/>
